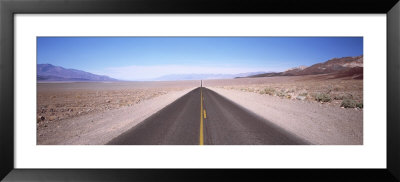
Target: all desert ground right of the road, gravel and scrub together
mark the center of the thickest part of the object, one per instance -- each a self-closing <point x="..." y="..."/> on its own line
<point x="317" y="108"/>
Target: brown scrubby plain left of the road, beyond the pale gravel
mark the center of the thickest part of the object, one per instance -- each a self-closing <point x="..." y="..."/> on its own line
<point x="58" y="101"/>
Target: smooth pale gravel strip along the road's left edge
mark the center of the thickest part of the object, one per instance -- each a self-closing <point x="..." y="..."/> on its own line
<point x="100" y="127"/>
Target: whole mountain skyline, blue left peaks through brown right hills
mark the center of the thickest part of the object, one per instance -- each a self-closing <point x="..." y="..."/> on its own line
<point x="339" y="67"/>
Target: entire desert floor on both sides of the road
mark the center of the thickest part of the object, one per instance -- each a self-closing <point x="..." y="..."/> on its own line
<point x="310" y="107"/>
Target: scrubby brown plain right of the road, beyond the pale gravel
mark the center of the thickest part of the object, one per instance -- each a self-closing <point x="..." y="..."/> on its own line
<point x="309" y="87"/>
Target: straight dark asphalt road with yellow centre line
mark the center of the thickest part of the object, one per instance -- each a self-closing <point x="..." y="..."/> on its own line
<point x="206" y="118"/>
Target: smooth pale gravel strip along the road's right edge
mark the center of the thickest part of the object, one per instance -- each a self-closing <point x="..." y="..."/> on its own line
<point x="314" y="122"/>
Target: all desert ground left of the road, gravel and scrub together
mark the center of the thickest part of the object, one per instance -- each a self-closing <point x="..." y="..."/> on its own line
<point x="94" y="113"/>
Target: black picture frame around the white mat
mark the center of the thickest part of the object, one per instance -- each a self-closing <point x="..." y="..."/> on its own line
<point x="8" y="8"/>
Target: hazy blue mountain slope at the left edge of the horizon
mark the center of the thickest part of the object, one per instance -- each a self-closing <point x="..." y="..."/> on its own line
<point x="48" y="72"/>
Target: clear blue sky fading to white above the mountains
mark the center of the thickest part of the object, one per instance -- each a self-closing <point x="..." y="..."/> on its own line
<point x="141" y="58"/>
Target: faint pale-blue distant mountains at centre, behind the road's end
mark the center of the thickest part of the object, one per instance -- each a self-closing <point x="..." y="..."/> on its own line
<point x="203" y="76"/>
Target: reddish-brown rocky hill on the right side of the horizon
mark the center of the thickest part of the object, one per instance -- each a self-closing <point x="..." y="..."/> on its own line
<point x="346" y="66"/>
